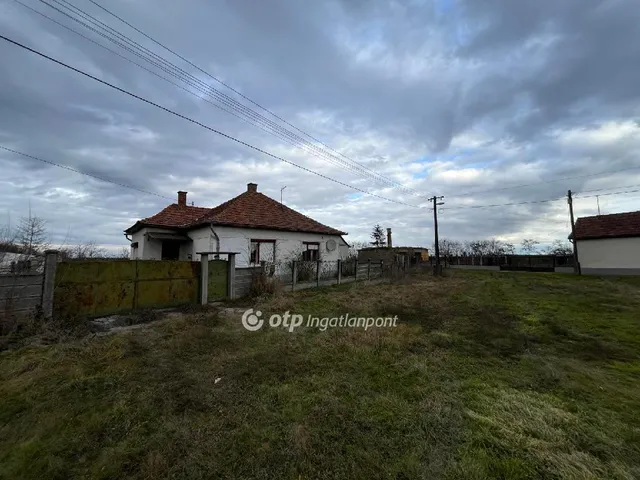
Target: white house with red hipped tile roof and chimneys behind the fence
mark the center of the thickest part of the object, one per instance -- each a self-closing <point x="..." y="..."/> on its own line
<point x="253" y="225"/>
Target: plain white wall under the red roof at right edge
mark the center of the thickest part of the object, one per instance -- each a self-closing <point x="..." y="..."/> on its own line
<point x="609" y="253"/>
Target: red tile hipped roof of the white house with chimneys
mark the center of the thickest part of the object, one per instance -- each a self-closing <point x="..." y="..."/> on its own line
<point x="249" y="210"/>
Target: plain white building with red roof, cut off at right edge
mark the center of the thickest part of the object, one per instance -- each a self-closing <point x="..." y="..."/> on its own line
<point x="609" y="244"/>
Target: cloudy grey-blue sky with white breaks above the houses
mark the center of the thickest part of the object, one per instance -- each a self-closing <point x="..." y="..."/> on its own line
<point x="461" y="98"/>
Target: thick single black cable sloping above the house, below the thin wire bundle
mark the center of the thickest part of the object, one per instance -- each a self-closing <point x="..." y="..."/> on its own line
<point x="138" y="97"/>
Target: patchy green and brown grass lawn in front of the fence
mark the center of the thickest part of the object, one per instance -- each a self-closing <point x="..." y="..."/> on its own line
<point x="487" y="375"/>
